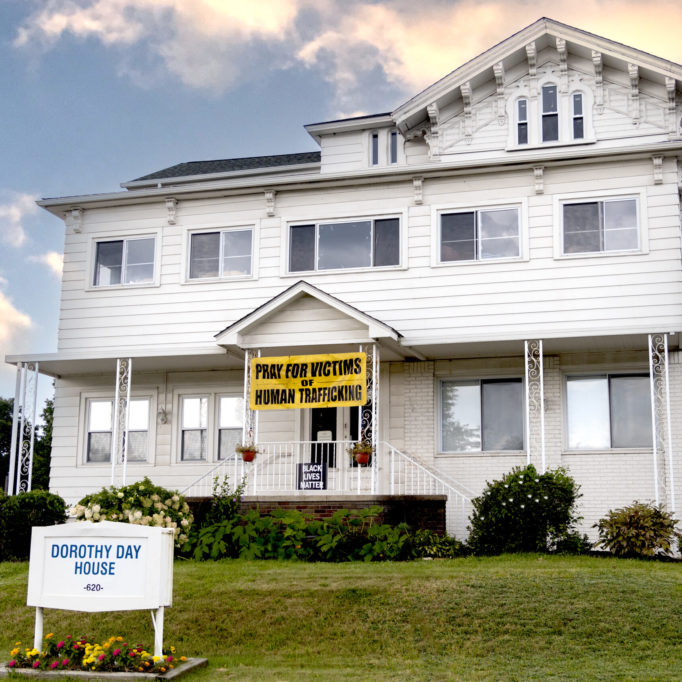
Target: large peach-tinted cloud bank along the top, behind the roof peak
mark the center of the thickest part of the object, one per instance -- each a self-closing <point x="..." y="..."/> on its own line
<point x="370" y="52"/>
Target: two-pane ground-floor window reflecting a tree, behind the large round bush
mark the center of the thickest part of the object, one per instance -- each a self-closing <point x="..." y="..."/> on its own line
<point x="480" y="416"/>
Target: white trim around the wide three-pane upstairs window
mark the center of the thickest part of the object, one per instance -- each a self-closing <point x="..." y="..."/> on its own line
<point x="348" y="217"/>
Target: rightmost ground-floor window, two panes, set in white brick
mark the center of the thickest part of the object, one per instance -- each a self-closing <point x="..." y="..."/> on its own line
<point x="608" y="411"/>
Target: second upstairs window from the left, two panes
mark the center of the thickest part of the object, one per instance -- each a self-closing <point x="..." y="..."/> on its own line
<point x="225" y="253"/>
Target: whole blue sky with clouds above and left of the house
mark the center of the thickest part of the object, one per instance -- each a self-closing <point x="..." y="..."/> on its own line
<point x="99" y="92"/>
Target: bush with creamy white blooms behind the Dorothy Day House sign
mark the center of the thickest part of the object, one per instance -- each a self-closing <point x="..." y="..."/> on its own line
<point x="142" y="503"/>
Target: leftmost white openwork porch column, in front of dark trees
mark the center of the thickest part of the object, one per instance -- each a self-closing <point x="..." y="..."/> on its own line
<point x="23" y="429"/>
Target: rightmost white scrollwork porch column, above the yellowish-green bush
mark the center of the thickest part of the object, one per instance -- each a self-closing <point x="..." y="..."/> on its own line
<point x="661" y="423"/>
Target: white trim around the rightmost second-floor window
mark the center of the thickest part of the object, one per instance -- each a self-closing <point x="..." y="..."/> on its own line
<point x="638" y="193"/>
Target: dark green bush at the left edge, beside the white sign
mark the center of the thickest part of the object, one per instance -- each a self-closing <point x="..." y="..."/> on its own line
<point x="19" y="513"/>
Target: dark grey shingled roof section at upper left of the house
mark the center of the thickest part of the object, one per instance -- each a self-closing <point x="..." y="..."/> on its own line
<point x="220" y="166"/>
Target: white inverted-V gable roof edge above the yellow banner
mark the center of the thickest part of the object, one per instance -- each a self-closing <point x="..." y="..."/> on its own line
<point x="376" y="328"/>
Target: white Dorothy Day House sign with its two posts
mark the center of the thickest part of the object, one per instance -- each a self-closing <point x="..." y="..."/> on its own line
<point x="102" y="566"/>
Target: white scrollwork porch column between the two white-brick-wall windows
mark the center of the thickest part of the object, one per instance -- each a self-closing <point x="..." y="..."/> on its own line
<point x="535" y="404"/>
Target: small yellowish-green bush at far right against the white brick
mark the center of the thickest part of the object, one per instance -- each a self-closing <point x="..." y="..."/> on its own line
<point x="641" y="529"/>
